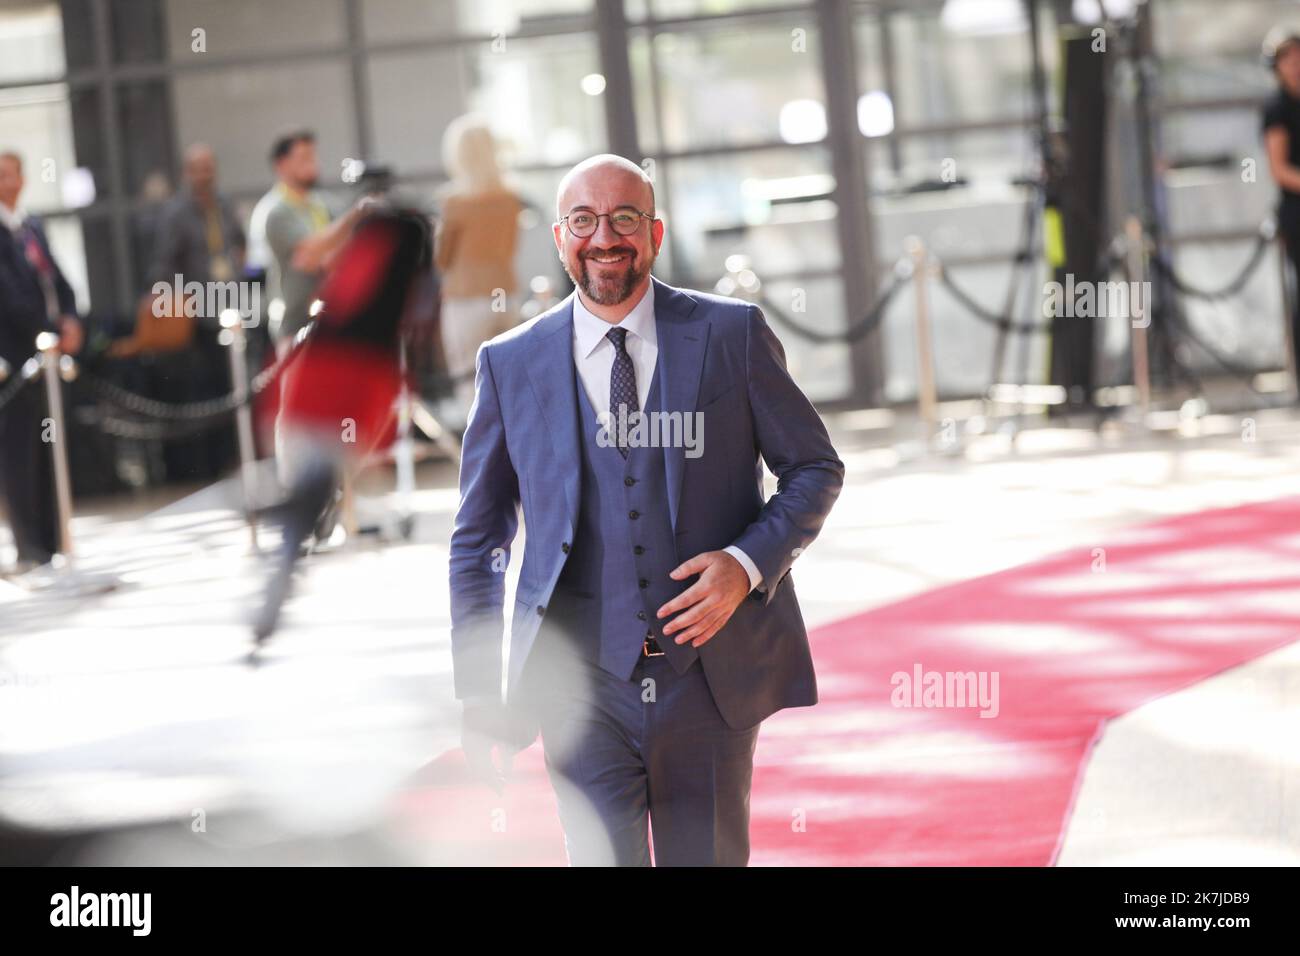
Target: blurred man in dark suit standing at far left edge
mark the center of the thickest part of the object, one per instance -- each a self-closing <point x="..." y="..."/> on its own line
<point x="34" y="299"/>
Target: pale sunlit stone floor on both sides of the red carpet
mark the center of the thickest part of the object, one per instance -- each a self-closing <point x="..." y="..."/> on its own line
<point x="138" y="706"/>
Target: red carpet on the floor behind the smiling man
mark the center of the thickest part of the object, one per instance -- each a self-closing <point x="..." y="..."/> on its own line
<point x="857" y="781"/>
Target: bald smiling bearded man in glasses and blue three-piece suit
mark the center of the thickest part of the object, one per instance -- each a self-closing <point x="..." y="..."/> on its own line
<point x="656" y="624"/>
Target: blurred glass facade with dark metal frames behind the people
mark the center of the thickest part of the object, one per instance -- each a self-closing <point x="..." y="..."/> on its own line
<point x="727" y="102"/>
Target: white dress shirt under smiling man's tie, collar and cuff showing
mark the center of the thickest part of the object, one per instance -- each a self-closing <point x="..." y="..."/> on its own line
<point x="593" y="357"/>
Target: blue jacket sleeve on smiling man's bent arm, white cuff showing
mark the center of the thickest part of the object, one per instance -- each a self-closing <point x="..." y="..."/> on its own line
<point x="798" y="449"/>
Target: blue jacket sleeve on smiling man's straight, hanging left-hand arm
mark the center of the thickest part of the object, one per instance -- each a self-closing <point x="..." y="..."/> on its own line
<point x="482" y="538"/>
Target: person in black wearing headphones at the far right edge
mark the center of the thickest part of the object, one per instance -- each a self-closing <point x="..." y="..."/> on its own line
<point x="1282" y="141"/>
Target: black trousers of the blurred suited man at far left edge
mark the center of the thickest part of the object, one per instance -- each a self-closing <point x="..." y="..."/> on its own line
<point x="27" y="475"/>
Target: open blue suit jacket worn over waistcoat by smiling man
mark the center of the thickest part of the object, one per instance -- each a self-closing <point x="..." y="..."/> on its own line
<point x="717" y="357"/>
